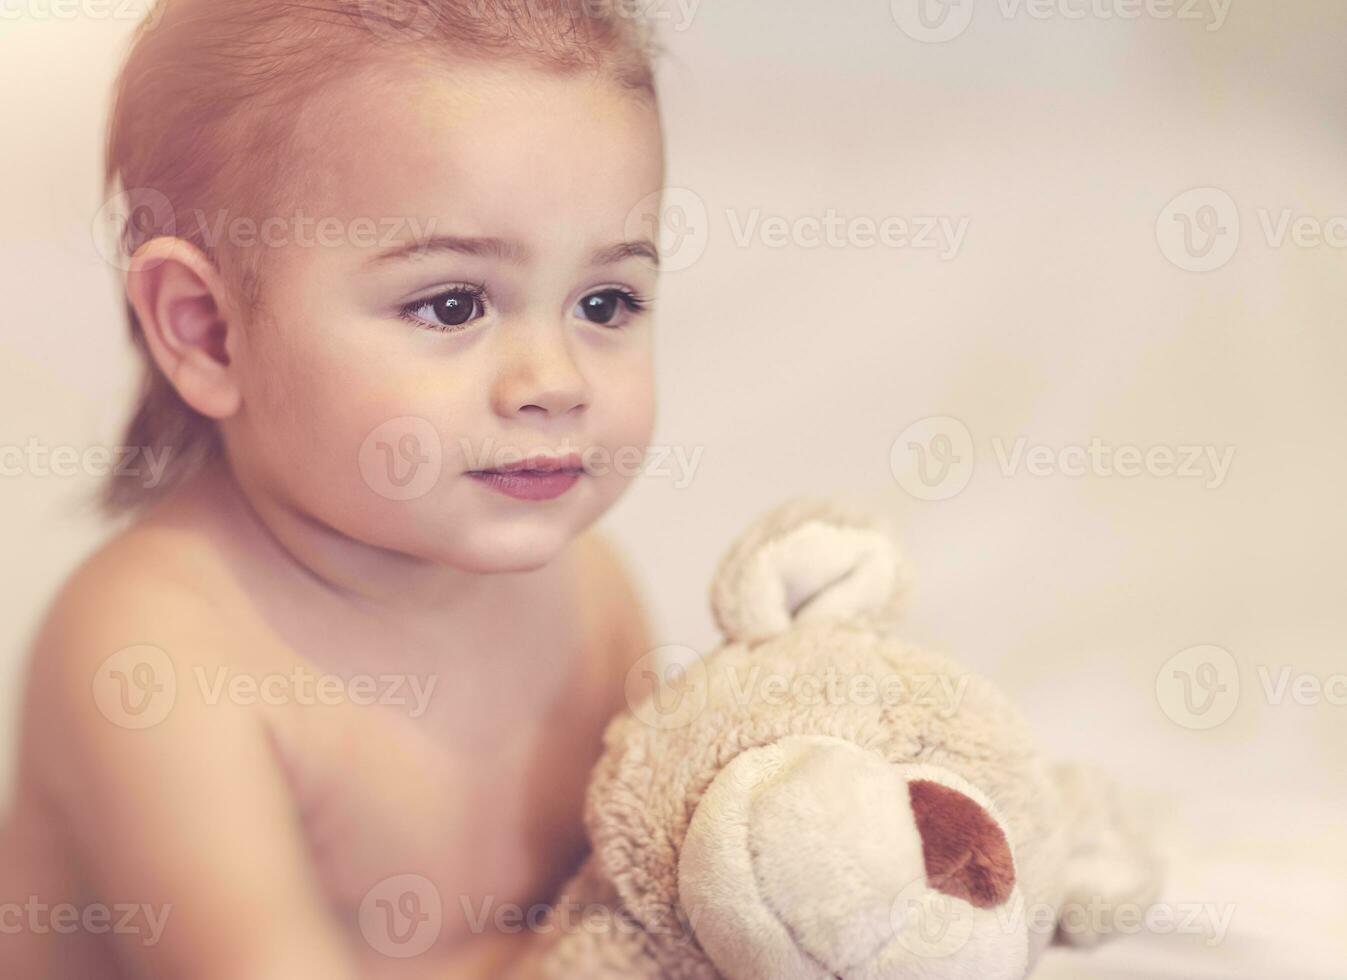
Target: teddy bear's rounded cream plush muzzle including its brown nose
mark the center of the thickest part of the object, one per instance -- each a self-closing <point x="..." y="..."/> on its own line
<point x="814" y="858"/>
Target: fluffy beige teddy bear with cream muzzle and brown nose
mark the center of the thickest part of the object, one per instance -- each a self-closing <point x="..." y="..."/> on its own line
<point x="820" y="800"/>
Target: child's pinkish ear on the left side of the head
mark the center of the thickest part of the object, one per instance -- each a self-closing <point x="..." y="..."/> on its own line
<point x="178" y="297"/>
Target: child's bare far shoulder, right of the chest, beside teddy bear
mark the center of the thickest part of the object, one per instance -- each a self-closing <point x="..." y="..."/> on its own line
<point x="618" y="605"/>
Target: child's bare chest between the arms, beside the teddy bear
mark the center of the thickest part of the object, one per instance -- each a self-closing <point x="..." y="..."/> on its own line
<point x="440" y="792"/>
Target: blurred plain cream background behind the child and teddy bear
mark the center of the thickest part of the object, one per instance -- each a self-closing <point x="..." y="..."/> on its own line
<point x="1057" y="285"/>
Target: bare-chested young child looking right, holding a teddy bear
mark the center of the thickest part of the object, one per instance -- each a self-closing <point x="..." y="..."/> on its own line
<point x="328" y="706"/>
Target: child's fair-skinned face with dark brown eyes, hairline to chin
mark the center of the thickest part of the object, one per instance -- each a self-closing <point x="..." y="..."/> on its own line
<point x="376" y="383"/>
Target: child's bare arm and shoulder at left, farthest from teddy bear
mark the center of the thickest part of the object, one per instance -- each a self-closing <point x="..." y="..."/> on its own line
<point x="191" y="816"/>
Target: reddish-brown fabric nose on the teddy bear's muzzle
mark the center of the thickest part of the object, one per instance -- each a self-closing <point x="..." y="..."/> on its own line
<point x="966" y="854"/>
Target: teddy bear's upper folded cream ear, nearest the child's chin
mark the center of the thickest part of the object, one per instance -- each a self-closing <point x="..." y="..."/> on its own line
<point x="809" y="561"/>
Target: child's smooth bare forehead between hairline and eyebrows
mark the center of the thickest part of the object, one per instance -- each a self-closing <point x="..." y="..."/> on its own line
<point x="416" y="139"/>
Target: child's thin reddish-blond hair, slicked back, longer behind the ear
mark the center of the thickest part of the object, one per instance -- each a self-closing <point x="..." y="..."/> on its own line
<point x="201" y="120"/>
